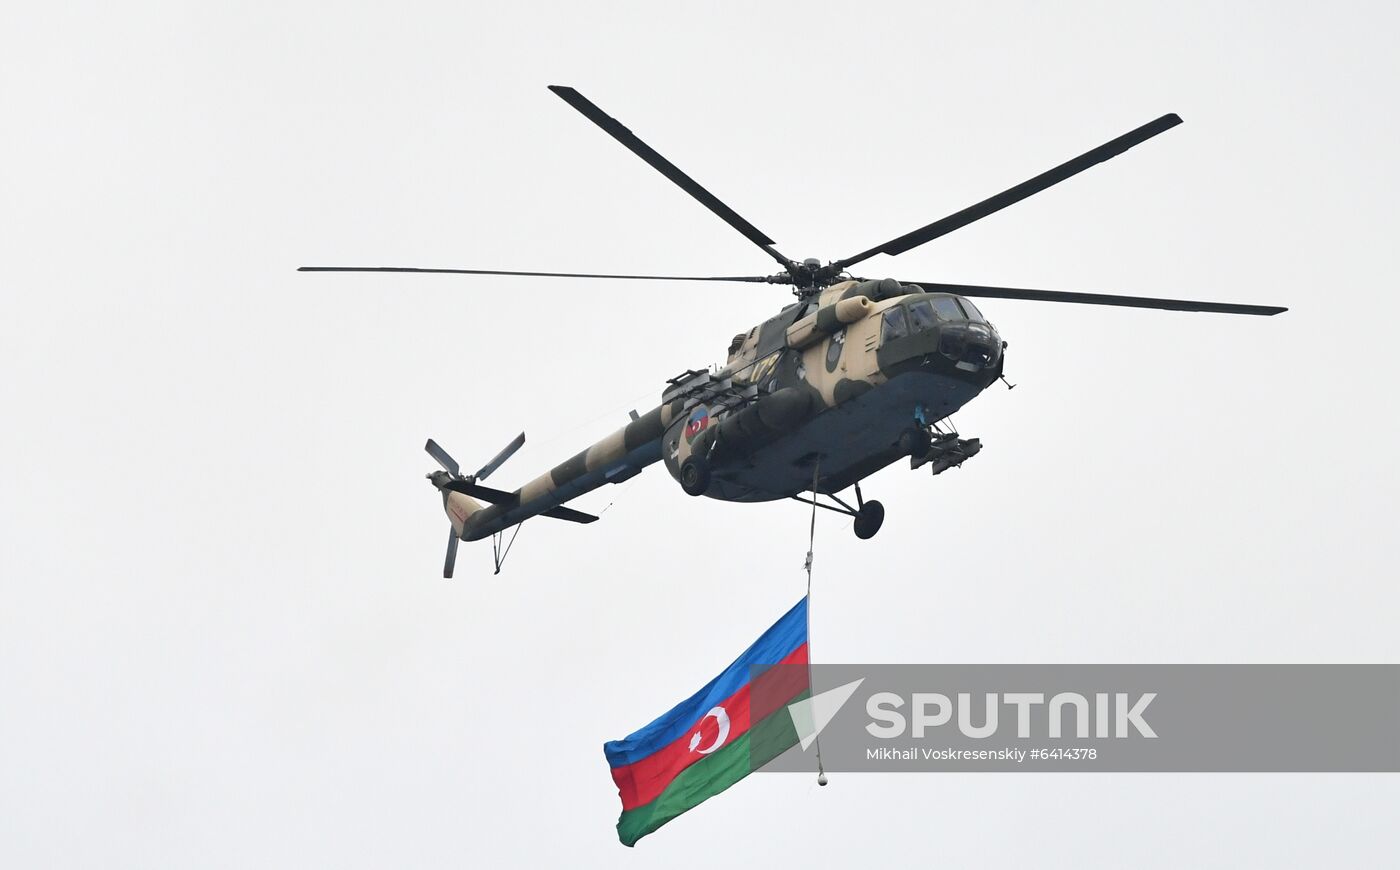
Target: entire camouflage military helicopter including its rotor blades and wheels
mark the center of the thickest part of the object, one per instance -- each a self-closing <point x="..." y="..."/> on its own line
<point x="850" y="378"/>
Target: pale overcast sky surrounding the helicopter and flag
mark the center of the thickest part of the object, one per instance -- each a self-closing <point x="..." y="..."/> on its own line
<point x="225" y="640"/>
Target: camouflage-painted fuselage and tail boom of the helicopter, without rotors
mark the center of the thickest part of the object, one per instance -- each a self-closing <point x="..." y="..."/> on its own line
<point x="825" y="387"/>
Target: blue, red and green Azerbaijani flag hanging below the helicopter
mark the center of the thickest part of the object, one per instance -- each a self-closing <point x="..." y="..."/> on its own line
<point x="716" y="738"/>
